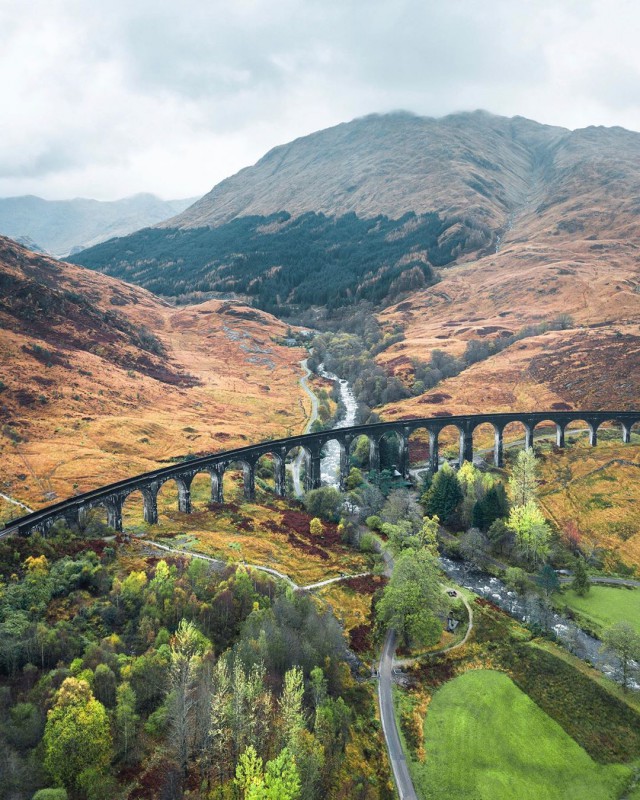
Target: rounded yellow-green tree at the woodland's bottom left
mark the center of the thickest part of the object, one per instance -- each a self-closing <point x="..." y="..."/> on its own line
<point x="77" y="736"/>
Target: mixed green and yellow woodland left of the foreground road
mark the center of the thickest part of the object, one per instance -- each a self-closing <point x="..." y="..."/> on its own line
<point x="126" y="675"/>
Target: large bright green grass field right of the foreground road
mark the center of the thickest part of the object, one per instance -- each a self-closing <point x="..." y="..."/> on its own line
<point x="486" y="740"/>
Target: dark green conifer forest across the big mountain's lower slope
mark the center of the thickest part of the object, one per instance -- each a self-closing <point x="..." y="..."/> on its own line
<point x="286" y="264"/>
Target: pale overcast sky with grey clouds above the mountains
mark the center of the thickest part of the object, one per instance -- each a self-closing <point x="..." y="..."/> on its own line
<point x="106" y="98"/>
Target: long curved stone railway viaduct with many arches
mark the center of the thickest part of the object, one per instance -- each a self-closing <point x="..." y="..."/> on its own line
<point x="112" y="496"/>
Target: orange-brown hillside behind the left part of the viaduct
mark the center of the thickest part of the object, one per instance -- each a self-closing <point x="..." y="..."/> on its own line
<point x="101" y="380"/>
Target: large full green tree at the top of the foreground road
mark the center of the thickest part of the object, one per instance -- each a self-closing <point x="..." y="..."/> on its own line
<point x="412" y="599"/>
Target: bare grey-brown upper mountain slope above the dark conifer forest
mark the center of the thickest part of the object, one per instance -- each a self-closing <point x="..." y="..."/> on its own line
<point x="387" y="164"/>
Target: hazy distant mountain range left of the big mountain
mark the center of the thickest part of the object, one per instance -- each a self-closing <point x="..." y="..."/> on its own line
<point x="64" y="226"/>
